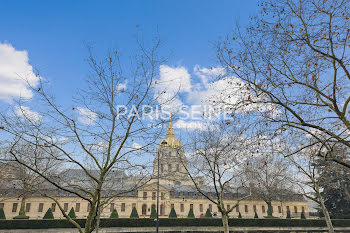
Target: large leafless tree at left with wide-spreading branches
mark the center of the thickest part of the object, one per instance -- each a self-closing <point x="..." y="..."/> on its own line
<point x="100" y="132"/>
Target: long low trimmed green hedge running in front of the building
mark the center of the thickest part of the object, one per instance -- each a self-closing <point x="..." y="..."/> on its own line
<point x="127" y="222"/>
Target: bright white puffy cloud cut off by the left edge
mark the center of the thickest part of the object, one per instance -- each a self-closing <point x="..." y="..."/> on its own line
<point x="14" y="70"/>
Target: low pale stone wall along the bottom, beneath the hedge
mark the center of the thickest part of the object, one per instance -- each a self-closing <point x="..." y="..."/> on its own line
<point x="188" y="230"/>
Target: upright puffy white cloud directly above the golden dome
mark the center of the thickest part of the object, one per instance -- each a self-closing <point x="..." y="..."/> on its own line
<point x="173" y="81"/>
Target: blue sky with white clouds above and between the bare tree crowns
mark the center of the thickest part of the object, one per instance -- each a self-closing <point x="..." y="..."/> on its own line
<point x="51" y="37"/>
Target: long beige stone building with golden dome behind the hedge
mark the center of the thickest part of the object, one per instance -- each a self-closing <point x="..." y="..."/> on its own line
<point x="176" y="190"/>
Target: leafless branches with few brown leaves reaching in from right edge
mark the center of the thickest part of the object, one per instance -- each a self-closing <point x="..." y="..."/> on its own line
<point x="295" y="56"/>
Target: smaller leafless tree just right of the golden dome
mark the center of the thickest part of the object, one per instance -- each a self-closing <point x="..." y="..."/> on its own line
<point x="216" y="155"/>
